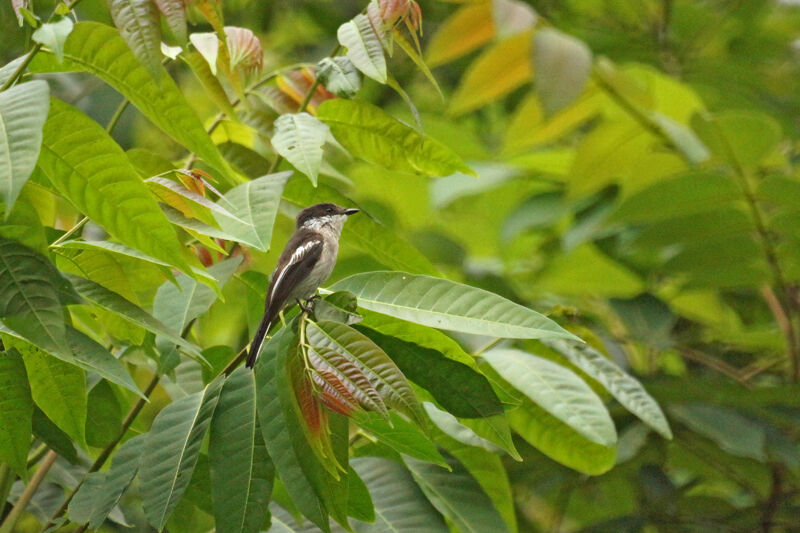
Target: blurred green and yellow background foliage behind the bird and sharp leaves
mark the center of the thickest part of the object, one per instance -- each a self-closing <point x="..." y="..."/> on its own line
<point x="656" y="215"/>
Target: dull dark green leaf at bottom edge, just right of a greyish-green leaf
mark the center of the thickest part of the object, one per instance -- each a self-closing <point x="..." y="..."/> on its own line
<point x="457" y="496"/>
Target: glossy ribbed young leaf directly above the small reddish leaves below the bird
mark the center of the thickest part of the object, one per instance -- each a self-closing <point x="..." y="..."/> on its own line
<point x="360" y="351"/>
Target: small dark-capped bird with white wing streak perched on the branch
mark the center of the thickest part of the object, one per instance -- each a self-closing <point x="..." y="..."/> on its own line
<point x="306" y="262"/>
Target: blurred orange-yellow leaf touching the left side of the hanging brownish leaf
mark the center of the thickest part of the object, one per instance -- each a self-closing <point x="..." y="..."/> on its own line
<point x="499" y="70"/>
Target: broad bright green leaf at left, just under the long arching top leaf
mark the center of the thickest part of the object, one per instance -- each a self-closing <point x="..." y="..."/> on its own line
<point x="93" y="172"/>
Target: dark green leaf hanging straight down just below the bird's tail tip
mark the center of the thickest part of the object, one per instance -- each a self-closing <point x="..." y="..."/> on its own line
<point x="241" y="470"/>
